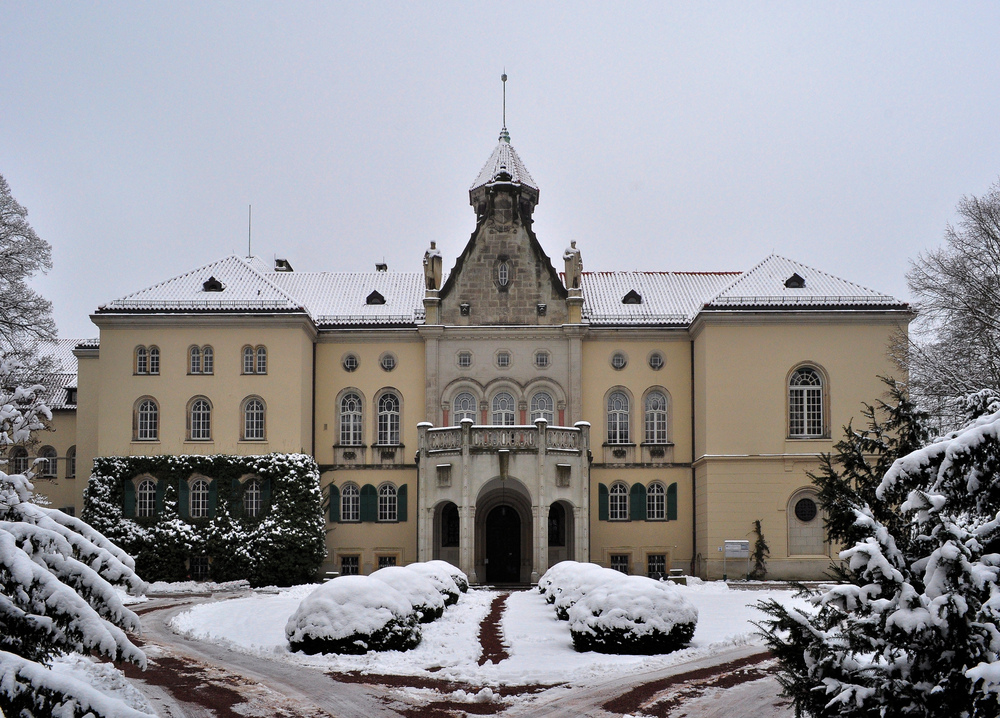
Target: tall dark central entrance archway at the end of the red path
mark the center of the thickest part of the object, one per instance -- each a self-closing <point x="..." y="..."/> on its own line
<point x="503" y="535"/>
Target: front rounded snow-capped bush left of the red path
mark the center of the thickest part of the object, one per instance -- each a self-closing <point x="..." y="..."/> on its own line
<point x="353" y="614"/>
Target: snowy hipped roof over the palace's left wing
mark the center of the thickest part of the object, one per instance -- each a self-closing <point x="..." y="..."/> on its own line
<point x="244" y="287"/>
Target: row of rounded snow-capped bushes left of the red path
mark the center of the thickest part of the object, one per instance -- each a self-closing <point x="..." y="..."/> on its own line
<point x="380" y="612"/>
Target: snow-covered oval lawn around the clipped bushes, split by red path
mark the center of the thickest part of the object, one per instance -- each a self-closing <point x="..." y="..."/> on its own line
<point x="540" y="646"/>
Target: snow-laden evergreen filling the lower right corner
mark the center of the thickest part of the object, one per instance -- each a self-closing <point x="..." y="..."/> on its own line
<point x="914" y="631"/>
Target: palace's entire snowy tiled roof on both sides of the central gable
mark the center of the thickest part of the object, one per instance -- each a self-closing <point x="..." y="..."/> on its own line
<point x="339" y="299"/>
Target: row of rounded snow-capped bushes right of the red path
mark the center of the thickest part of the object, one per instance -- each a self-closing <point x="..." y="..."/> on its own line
<point x="610" y="612"/>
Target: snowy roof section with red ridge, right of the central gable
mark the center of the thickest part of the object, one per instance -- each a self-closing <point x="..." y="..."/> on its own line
<point x="666" y="297"/>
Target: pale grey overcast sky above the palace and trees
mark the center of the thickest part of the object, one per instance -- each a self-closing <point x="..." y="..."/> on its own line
<point x="662" y="136"/>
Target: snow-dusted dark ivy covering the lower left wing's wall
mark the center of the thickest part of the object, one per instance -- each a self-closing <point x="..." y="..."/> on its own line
<point x="283" y="544"/>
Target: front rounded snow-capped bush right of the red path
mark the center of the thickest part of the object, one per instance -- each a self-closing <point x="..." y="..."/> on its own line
<point x="633" y="615"/>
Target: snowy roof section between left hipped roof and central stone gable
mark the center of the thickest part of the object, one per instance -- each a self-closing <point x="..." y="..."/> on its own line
<point x="339" y="298"/>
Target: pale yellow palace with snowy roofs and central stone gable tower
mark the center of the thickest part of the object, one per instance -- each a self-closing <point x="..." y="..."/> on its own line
<point x="502" y="415"/>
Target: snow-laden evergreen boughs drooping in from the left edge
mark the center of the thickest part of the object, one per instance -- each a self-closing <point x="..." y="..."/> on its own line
<point x="57" y="589"/>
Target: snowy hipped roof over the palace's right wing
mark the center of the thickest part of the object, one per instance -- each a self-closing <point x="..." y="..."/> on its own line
<point x="778" y="281"/>
